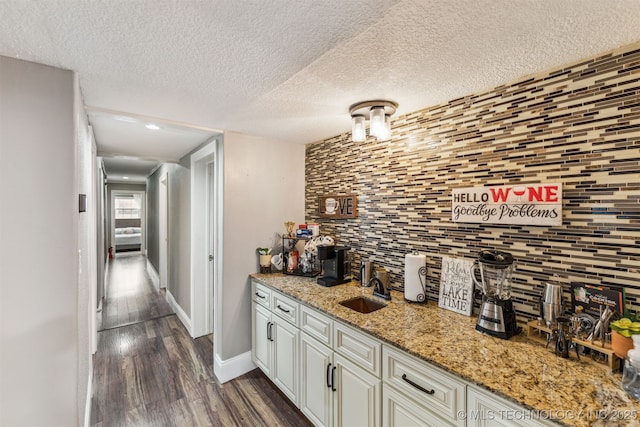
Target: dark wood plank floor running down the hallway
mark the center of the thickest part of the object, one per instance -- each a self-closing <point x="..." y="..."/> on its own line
<point x="149" y="372"/>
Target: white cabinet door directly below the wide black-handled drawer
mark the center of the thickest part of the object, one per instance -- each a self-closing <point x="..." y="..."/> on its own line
<point x="398" y="411"/>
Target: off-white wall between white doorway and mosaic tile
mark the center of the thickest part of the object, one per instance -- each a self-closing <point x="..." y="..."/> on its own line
<point x="263" y="187"/>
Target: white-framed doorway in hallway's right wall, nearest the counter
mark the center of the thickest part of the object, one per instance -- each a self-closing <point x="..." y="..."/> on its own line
<point x="203" y="286"/>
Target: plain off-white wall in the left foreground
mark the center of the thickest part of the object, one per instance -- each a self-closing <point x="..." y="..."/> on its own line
<point x="39" y="348"/>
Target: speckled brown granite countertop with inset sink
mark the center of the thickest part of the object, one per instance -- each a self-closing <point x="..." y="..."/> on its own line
<point x="570" y="392"/>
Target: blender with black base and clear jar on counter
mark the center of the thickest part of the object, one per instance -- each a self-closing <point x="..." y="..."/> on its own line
<point x="497" y="316"/>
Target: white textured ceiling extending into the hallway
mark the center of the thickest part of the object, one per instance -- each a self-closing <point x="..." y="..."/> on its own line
<point x="289" y="69"/>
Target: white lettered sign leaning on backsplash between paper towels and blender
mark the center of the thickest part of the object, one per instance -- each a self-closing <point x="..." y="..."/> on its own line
<point x="456" y="286"/>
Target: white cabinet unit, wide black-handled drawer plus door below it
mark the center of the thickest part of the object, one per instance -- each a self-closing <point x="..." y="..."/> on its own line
<point x="413" y="385"/>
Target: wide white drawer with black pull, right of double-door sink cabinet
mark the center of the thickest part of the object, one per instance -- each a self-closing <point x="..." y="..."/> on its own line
<point x="429" y="387"/>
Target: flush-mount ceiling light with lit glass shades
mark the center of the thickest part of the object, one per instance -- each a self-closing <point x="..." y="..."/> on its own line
<point x="378" y="113"/>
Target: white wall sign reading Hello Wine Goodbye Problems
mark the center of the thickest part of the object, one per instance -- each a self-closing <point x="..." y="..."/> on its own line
<point x="520" y="204"/>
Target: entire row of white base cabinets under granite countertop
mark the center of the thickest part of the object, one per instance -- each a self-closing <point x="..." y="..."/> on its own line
<point x="339" y="376"/>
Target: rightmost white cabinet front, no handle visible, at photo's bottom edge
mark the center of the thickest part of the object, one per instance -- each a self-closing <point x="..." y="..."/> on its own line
<point x="485" y="409"/>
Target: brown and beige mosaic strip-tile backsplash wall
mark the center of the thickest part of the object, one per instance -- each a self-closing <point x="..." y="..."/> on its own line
<point x="578" y="125"/>
